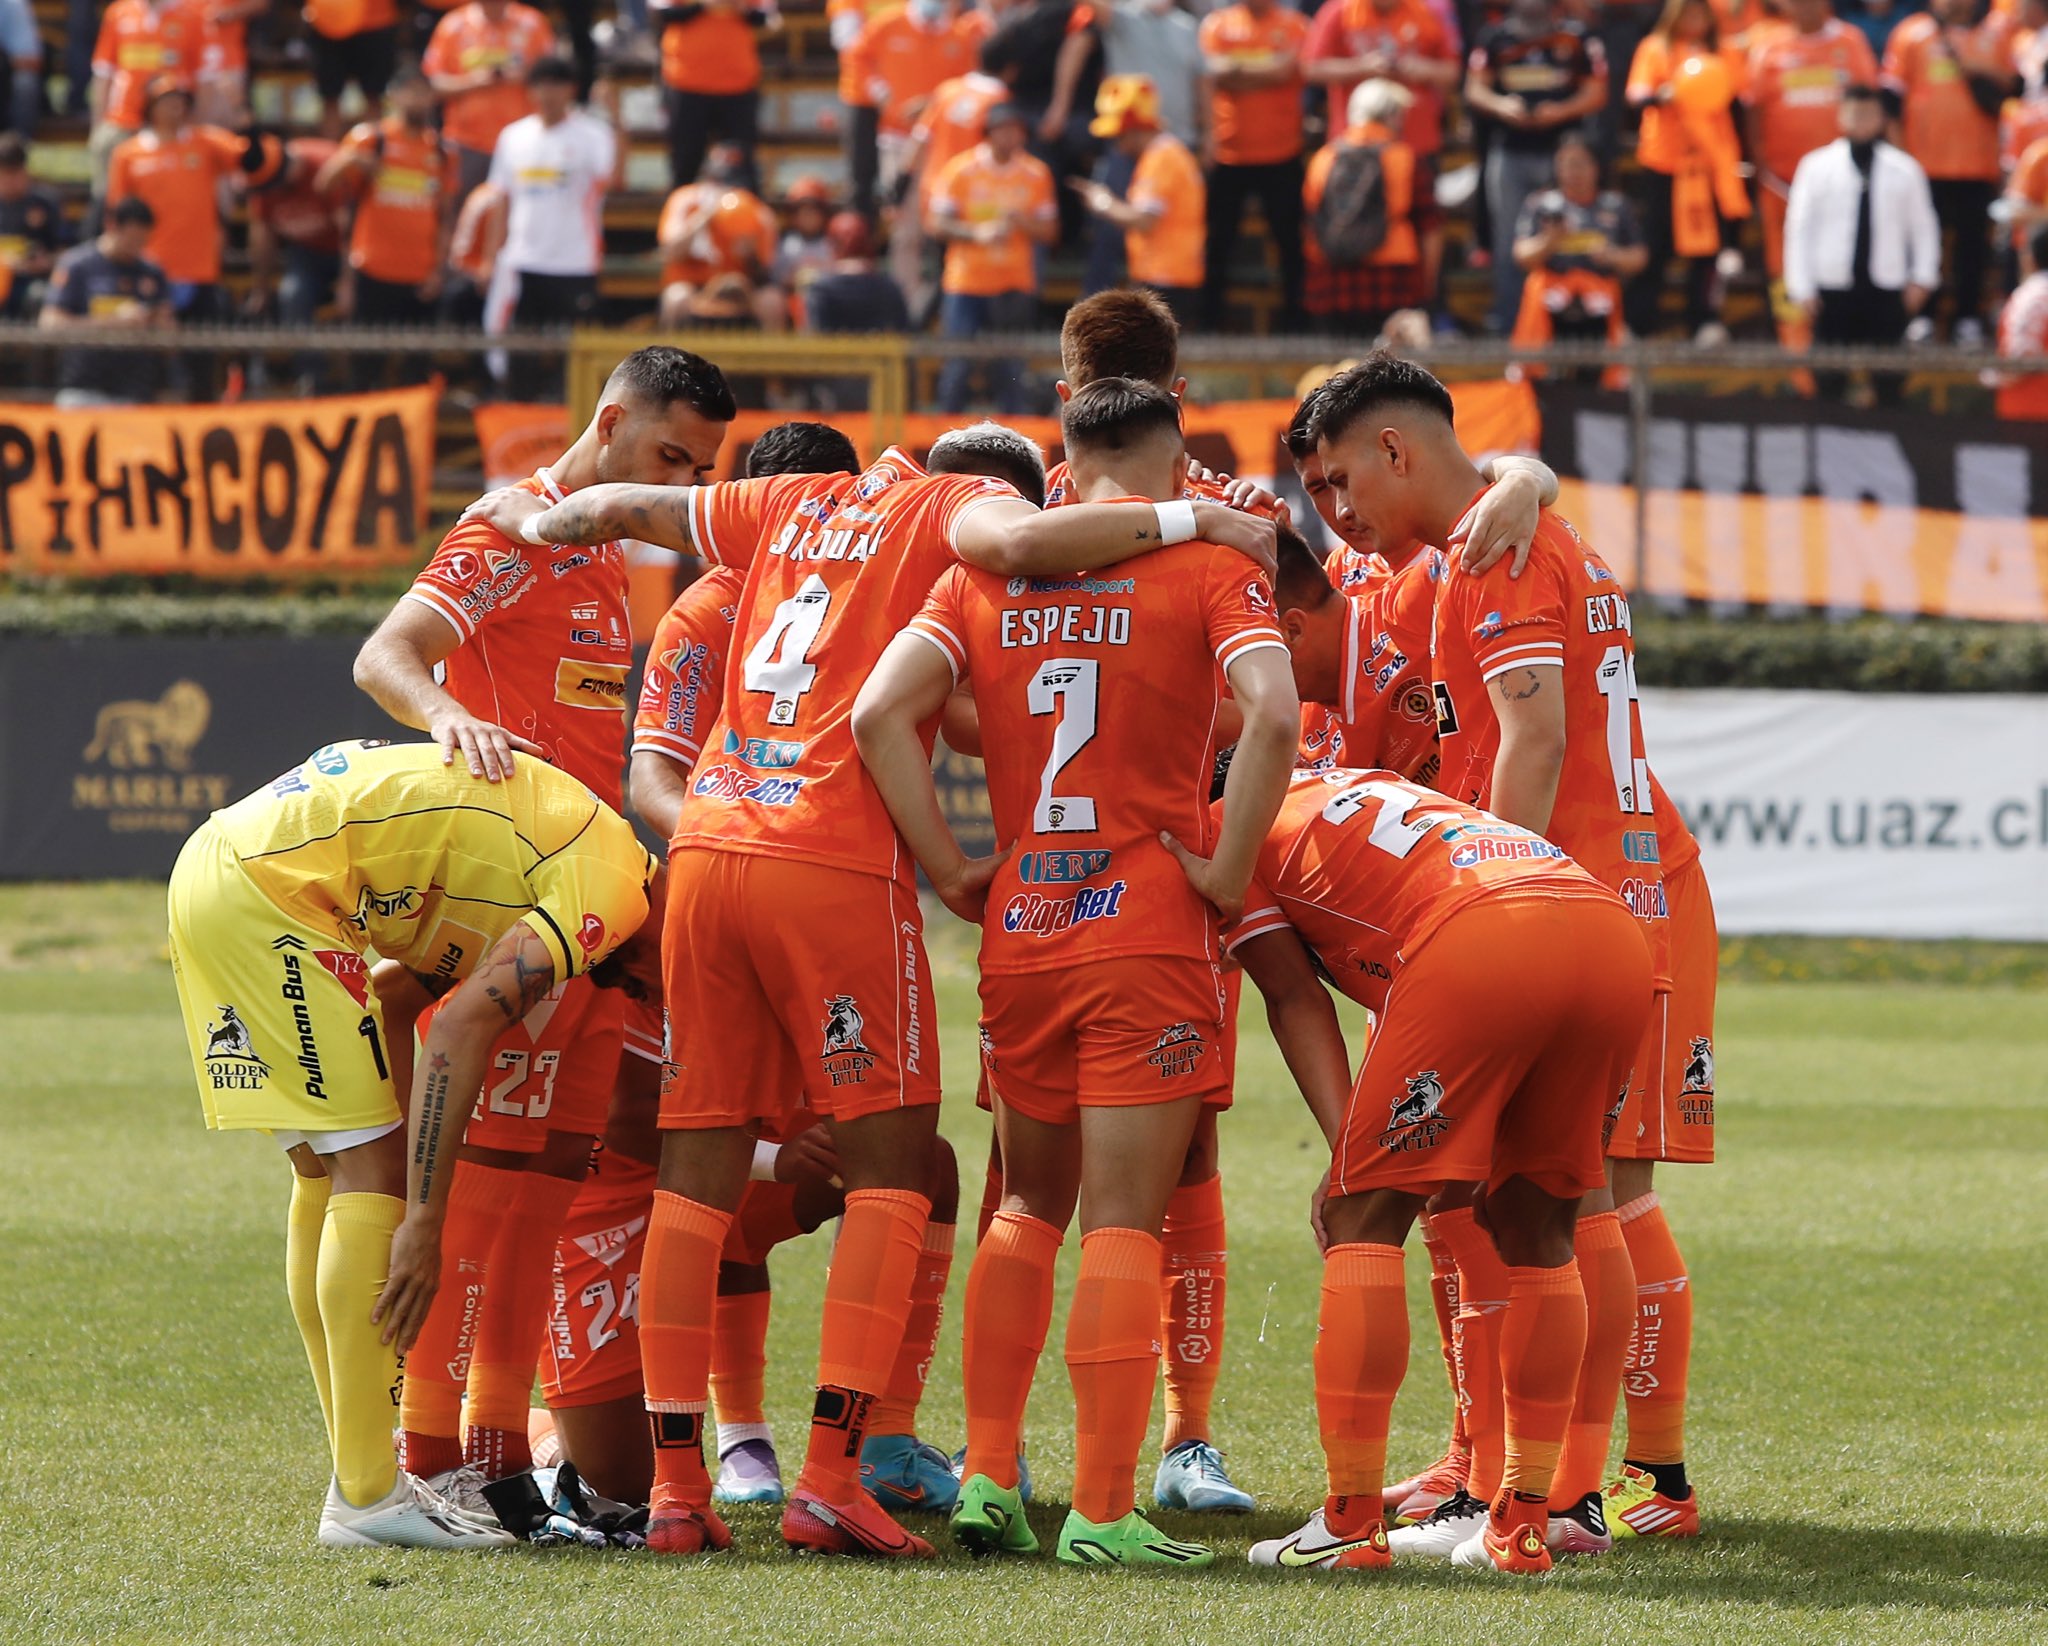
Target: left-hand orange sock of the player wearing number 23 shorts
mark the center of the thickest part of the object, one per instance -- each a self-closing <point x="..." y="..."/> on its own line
<point x="437" y="1367"/>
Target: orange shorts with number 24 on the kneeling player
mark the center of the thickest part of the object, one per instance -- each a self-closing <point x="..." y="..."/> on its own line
<point x="593" y="1336"/>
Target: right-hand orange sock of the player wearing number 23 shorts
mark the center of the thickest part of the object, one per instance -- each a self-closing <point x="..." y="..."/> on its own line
<point x="513" y="1326"/>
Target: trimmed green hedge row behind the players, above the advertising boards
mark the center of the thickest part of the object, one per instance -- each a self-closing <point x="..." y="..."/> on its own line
<point x="1863" y="656"/>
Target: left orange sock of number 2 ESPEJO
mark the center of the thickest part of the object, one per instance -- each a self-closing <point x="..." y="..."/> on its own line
<point x="1007" y="1319"/>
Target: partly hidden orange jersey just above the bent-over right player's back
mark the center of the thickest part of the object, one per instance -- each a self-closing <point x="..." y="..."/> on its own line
<point x="1385" y="718"/>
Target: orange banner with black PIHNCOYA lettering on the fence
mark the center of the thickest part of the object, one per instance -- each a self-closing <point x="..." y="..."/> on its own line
<point x="259" y="490"/>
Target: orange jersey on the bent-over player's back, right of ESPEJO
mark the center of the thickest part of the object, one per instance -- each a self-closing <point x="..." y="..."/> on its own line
<point x="1365" y="867"/>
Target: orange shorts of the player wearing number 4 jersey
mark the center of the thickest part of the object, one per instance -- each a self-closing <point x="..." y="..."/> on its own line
<point x="794" y="982"/>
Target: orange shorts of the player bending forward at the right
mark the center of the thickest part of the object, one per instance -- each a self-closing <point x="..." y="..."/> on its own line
<point x="1496" y="1057"/>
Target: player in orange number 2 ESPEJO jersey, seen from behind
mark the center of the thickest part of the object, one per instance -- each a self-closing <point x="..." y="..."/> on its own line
<point x="1103" y="1016"/>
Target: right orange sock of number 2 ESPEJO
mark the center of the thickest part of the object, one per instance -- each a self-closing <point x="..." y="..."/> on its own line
<point x="1113" y="1356"/>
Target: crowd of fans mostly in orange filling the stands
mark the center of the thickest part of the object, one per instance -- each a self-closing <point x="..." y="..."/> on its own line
<point x="1607" y="157"/>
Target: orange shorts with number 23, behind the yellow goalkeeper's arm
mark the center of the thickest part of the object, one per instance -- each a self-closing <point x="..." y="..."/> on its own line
<point x="552" y="1072"/>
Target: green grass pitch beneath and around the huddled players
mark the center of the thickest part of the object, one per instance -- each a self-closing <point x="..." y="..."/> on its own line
<point x="1869" y="1412"/>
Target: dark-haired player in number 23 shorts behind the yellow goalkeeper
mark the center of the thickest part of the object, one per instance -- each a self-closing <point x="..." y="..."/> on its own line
<point x="534" y="652"/>
